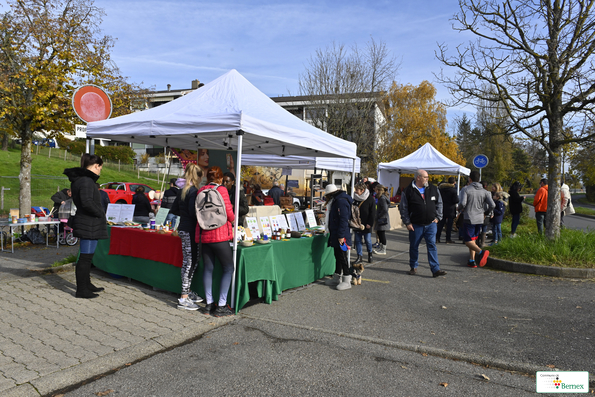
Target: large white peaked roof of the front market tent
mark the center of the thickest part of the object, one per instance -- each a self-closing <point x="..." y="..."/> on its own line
<point x="210" y="117"/>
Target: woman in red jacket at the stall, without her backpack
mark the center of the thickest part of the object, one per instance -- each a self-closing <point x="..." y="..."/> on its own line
<point x="215" y="245"/>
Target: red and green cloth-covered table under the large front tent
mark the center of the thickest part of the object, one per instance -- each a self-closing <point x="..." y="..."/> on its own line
<point x="156" y="259"/>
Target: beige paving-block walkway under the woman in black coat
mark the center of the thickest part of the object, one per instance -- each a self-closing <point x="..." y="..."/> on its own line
<point x="49" y="340"/>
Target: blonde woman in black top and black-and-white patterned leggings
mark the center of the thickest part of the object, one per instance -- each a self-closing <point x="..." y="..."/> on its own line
<point x="184" y="205"/>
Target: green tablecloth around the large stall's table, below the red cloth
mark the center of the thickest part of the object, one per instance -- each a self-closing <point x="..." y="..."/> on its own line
<point x="274" y="267"/>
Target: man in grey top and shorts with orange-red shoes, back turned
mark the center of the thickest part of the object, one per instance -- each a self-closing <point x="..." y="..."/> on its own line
<point x="475" y="203"/>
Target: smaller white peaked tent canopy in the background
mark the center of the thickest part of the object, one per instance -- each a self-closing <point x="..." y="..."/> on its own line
<point x="426" y="158"/>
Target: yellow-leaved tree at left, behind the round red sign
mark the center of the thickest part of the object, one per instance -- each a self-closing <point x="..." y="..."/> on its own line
<point x="47" y="49"/>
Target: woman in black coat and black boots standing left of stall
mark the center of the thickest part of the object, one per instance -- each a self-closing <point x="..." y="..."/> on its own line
<point x="89" y="223"/>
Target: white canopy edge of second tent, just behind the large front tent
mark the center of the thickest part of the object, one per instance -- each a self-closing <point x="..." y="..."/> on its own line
<point x="302" y="162"/>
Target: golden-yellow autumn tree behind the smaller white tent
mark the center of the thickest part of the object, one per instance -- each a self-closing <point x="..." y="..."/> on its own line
<point x="414" y="117"/>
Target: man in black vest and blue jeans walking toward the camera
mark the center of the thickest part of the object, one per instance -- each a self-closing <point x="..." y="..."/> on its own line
<point x="421" y="210"/>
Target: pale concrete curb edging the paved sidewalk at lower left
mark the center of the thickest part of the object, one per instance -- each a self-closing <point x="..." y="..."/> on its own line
<point x="78" y="375"/>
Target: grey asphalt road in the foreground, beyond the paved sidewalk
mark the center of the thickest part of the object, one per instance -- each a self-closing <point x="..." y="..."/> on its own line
<point x="319" y="341"/>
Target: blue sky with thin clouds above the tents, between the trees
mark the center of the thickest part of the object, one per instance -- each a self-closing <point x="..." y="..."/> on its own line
<point x="174" y="42"/>
